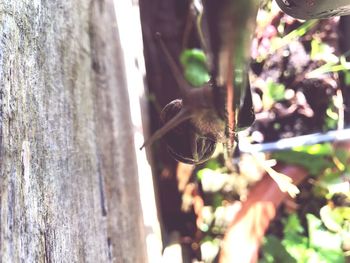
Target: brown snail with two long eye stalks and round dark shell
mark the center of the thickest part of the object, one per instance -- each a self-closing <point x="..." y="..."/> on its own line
<point x="191" y="125"/>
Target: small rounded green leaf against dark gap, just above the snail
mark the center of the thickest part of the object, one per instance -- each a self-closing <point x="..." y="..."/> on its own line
<point x="195" y="69"/>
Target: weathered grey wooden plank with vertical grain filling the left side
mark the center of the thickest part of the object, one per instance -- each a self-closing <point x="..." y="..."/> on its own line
<point x="69" y="189"/>
